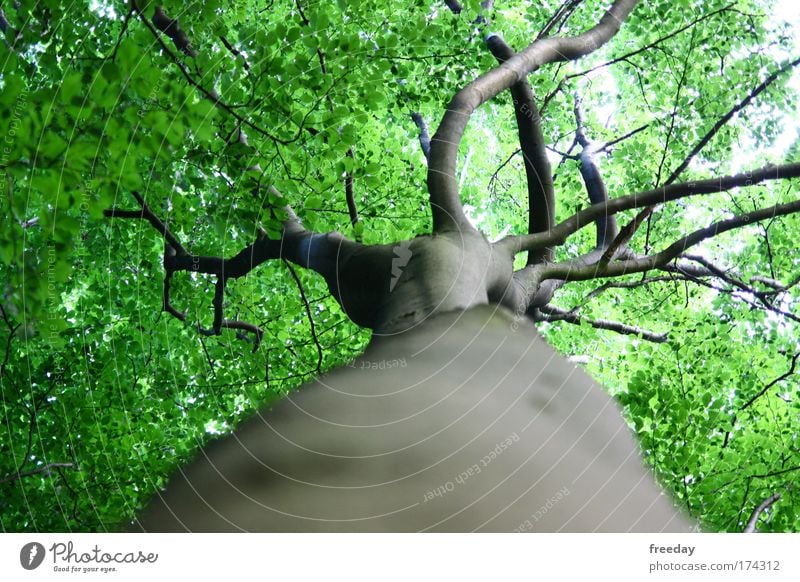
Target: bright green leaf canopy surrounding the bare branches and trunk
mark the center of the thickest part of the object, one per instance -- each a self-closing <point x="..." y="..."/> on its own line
<point x="96" y="379"/>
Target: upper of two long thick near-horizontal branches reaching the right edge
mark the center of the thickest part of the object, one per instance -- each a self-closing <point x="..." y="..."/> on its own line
<point x="579" y="220"/>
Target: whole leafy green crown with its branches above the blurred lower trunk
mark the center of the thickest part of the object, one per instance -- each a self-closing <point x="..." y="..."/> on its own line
<point x="256" y="170"/>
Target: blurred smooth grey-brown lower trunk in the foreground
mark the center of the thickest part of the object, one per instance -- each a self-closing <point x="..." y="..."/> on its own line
<point x="467" y="421"/>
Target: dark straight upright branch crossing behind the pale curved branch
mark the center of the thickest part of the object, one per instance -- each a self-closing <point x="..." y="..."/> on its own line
<point x="539" y="175"/>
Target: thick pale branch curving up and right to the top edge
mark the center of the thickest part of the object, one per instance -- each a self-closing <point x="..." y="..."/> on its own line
<point x="442" y="183"/>
